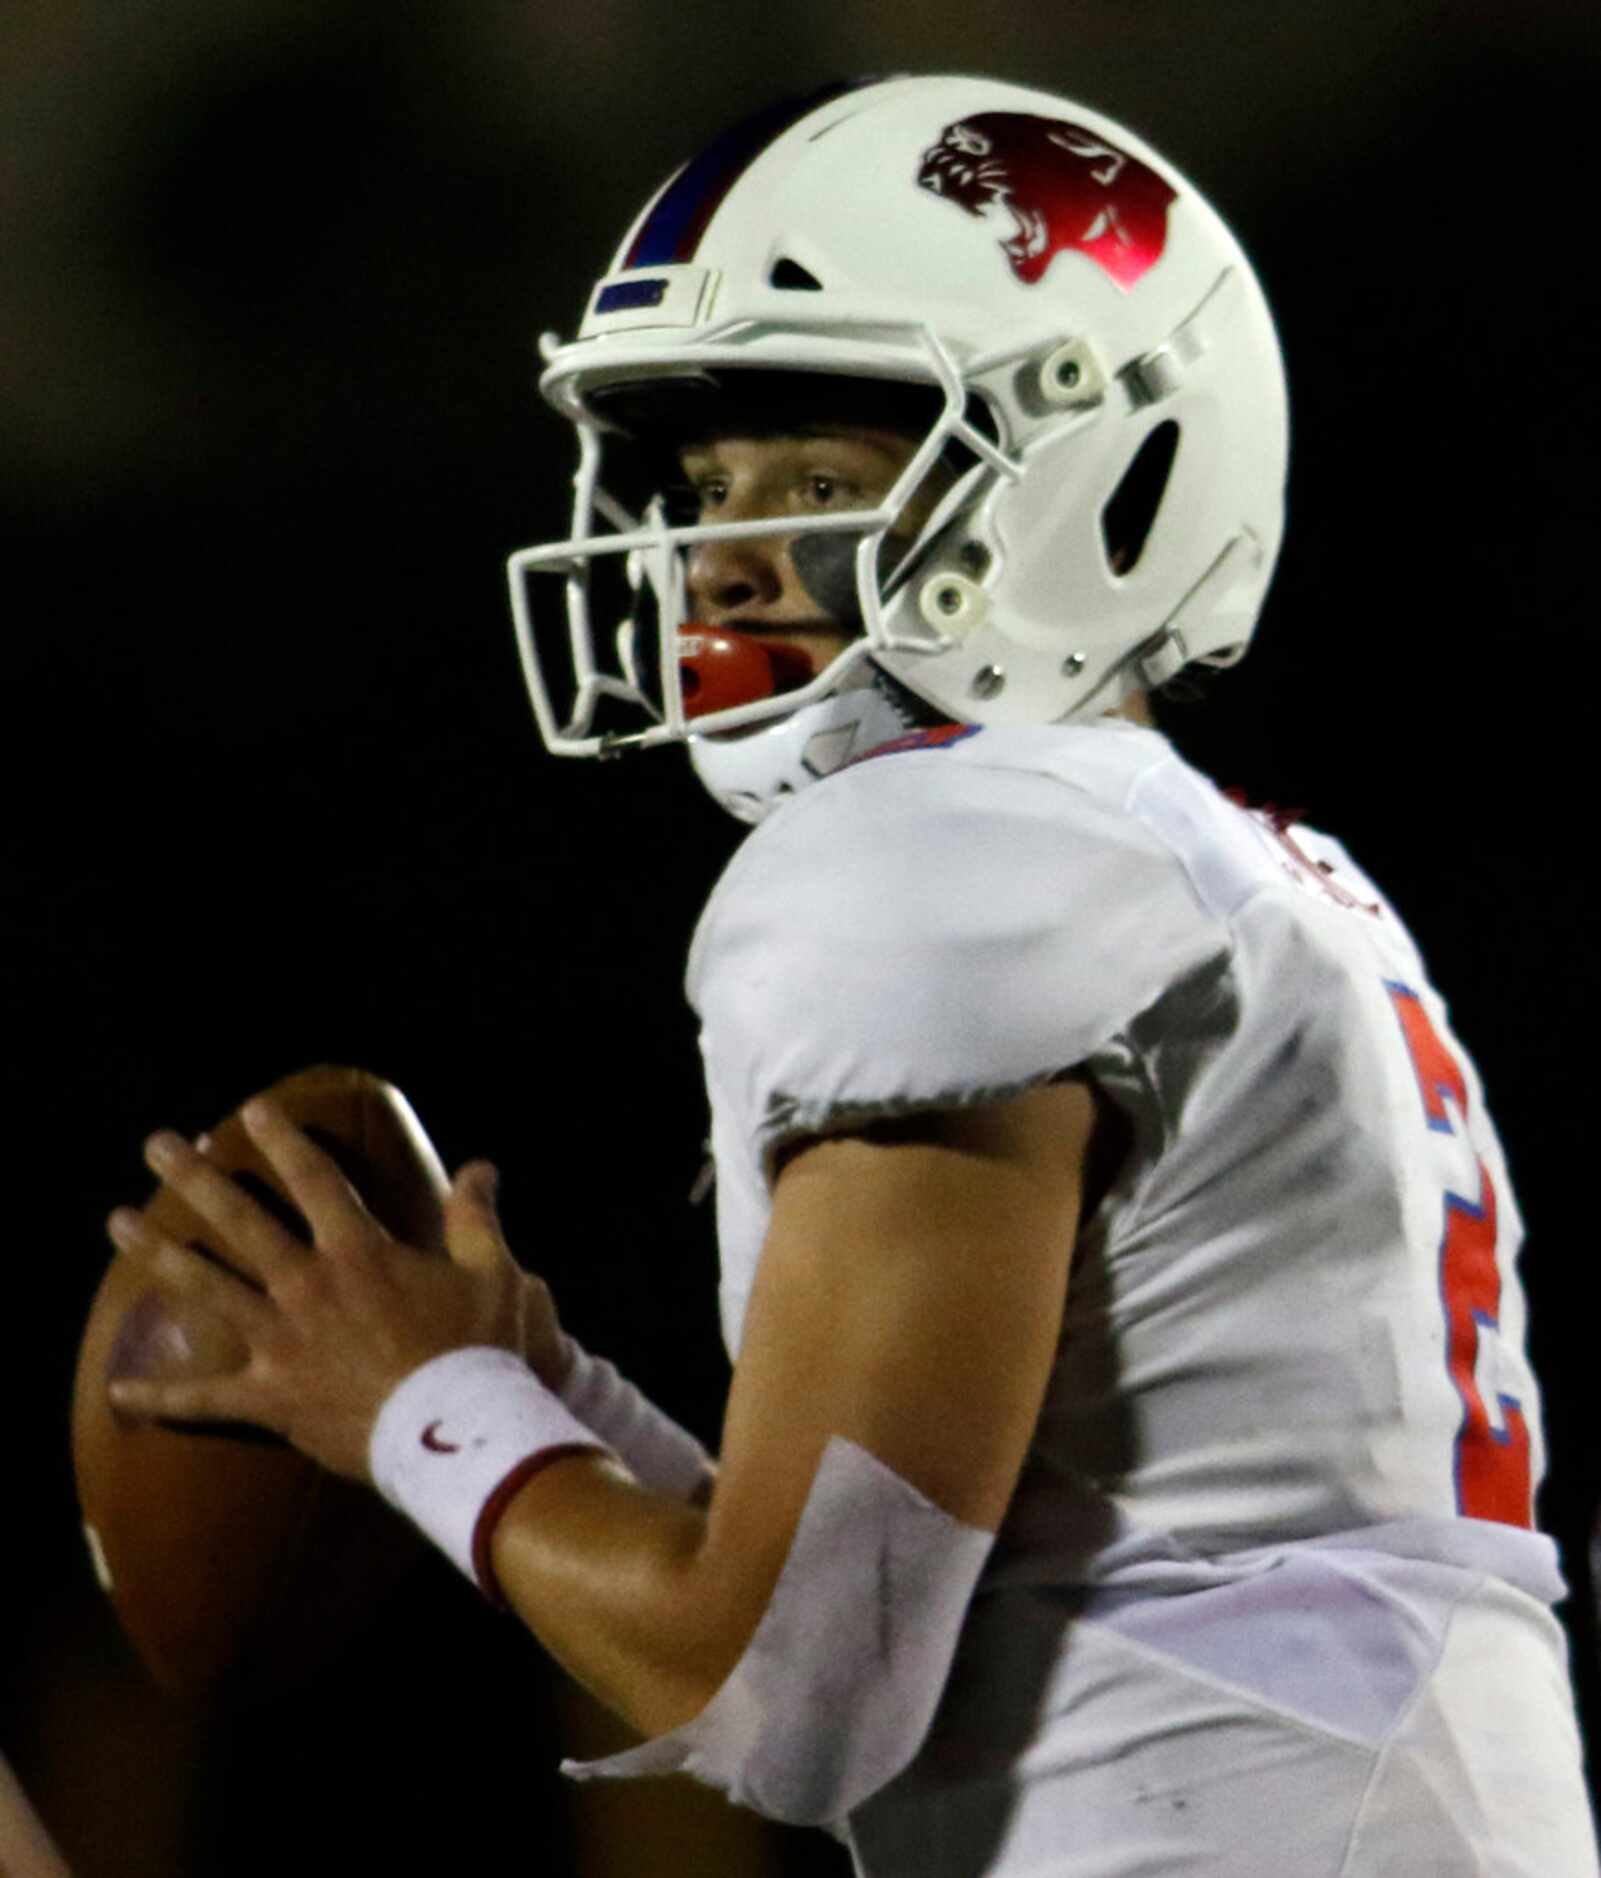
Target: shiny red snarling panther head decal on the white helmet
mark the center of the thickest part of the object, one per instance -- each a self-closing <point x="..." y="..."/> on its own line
<point x="1065" y="187"/>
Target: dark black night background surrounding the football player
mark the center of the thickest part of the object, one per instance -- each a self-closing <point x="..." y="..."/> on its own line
<point x="267" y="433"/>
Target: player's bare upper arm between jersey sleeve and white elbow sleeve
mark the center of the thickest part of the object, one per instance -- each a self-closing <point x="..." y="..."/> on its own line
<point x="909" y="1299"/>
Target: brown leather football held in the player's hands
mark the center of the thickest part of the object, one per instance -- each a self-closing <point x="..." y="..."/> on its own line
<point x="236" y="1565"/>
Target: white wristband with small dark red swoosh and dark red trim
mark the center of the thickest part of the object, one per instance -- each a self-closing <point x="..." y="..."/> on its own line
<point x="459" y="1438"/>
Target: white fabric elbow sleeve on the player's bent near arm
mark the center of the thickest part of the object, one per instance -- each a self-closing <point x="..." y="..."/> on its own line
<point x="842" y="1680"/>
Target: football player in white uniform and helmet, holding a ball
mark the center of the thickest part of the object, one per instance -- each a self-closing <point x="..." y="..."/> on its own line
<point x="1131" y="1460"/>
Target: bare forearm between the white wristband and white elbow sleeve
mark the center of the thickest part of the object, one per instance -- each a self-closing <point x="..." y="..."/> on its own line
<point x="620" y="1586"/>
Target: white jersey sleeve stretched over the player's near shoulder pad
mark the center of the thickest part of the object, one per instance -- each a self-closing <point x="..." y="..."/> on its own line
<point x="922" y="934"/>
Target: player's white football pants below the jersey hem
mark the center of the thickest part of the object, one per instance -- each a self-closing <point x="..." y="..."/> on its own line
<point x="1317" y="1723"/>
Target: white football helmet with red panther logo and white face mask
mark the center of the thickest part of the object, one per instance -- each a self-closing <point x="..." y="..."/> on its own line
<point x="1097" y="360"/>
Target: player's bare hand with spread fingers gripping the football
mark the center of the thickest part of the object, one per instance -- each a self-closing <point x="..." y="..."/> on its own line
<point x="335" y="1327"/>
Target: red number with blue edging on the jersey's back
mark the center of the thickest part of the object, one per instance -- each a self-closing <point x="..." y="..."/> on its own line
<point x="1493" y="1451"/>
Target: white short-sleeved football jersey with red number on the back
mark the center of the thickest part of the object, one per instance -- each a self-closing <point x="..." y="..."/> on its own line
<point x="1296" y="1316"/>
